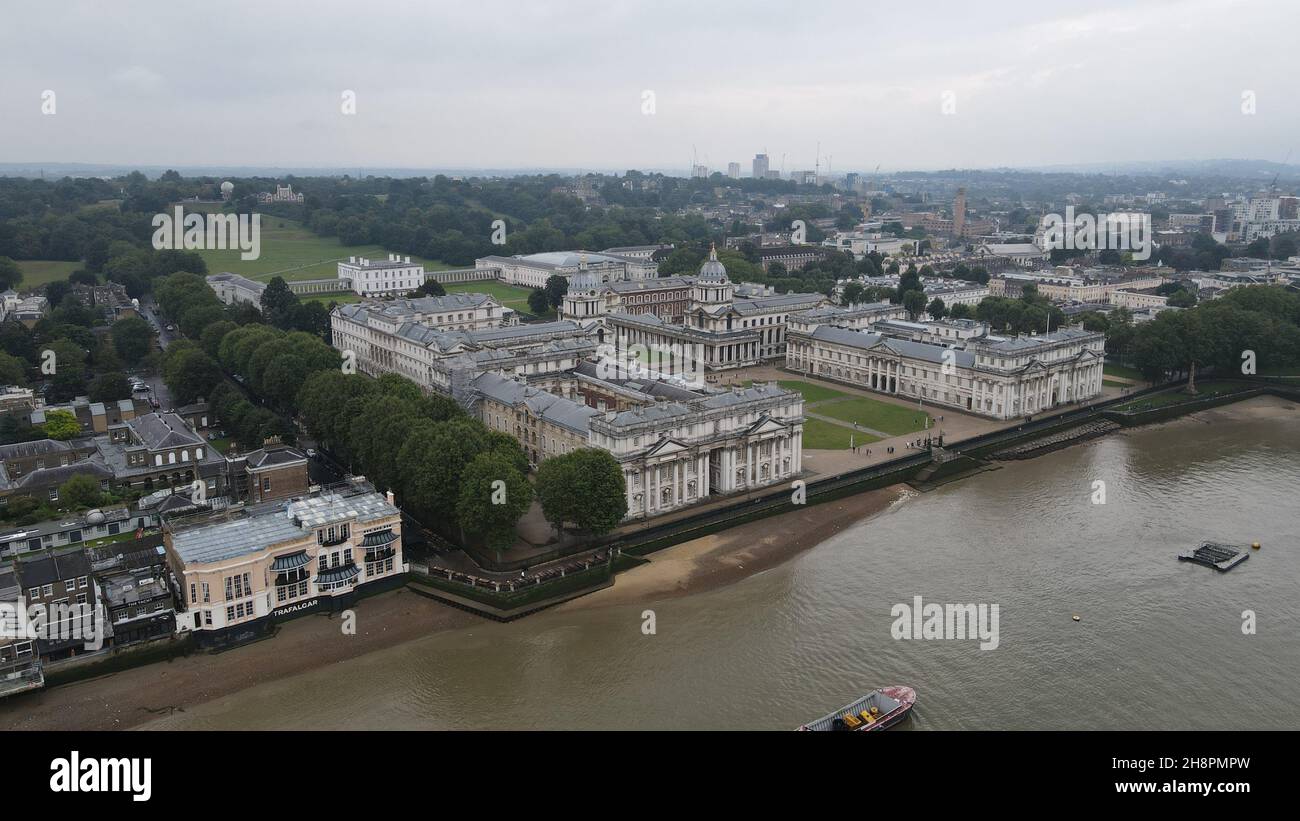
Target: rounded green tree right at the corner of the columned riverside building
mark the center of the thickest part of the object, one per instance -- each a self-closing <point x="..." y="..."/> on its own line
<point x="584" y="488"/>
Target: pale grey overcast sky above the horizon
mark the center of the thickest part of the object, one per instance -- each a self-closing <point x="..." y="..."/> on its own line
<point x="552" y="84"/>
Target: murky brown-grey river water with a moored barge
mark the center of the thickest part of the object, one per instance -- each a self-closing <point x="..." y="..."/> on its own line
<point x="1159" y="644"/>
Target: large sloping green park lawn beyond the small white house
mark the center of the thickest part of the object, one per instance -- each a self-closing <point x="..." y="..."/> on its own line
<point x="294" y="253"/>
